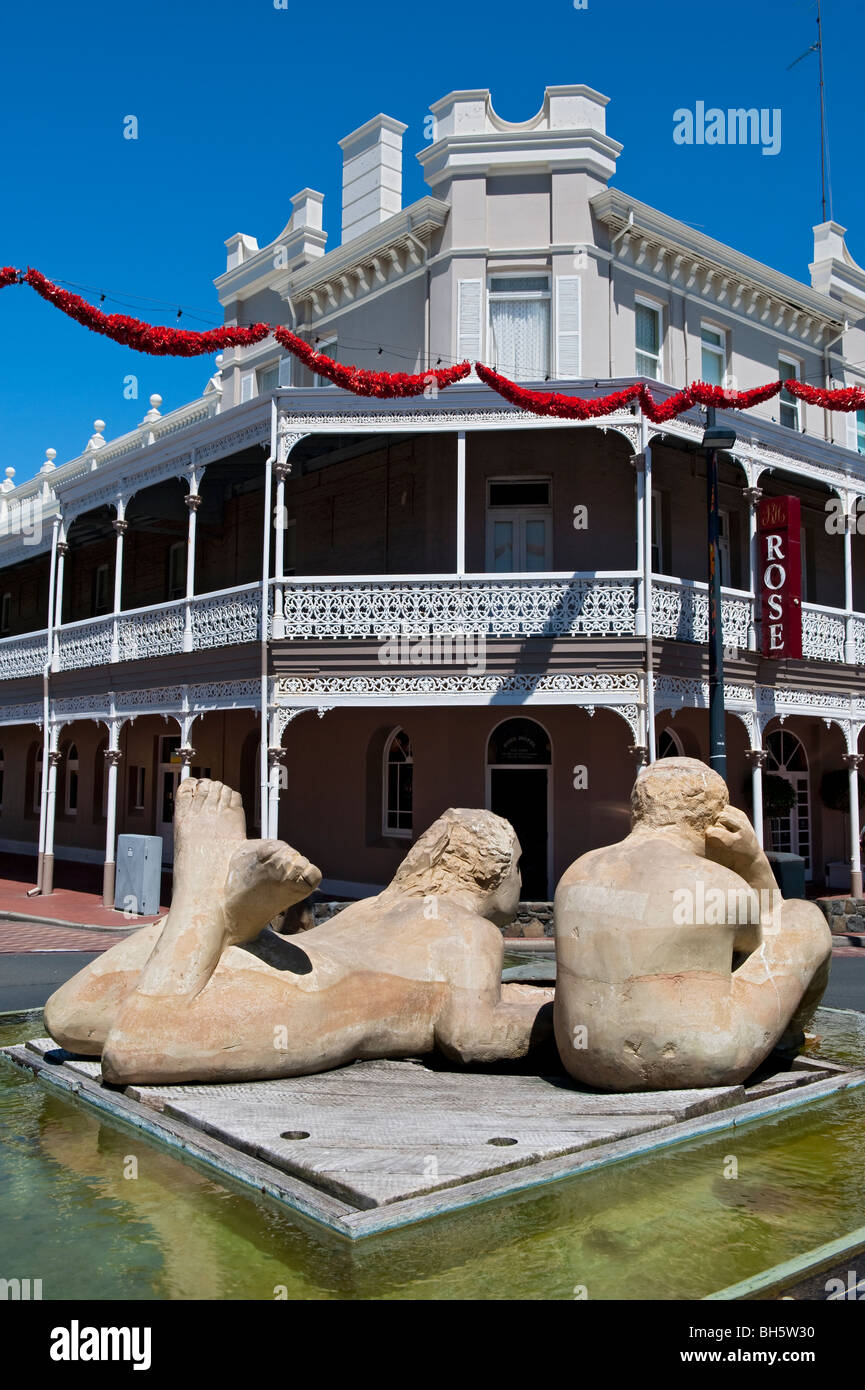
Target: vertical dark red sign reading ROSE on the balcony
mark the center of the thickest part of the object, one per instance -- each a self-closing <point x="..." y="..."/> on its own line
<point x="781" y="571"/>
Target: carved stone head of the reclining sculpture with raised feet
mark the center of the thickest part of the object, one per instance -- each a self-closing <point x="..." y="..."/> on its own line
<point x="467" y="853"/>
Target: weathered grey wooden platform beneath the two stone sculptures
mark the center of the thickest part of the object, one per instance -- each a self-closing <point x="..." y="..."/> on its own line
<point x="383" y="1145"/>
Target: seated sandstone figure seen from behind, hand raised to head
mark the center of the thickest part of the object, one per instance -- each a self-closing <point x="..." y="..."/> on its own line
<point x="679" y="964"/>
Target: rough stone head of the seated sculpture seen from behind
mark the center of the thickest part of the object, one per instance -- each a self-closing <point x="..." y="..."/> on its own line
<point x="678" y="794"/>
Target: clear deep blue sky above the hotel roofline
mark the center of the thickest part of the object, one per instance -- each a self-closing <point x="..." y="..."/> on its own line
<point x="241" y="105"/>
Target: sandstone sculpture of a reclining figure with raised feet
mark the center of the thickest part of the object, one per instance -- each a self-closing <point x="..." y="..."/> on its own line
<point x="207" y="995"/>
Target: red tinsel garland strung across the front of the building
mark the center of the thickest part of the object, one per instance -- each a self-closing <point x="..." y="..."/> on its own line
<point x="180" y="343"/>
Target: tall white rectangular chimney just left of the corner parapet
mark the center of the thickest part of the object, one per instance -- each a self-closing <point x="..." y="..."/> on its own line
<point x="372" y="176"/>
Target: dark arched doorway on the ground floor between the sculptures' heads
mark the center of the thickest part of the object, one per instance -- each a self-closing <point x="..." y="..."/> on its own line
<point x="518" y="789"/>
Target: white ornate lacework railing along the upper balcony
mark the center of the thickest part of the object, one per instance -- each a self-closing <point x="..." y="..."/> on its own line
<point x="382" y="608"/>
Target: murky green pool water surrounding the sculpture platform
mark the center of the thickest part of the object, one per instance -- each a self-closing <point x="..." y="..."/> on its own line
<point x="664" y="1227"/>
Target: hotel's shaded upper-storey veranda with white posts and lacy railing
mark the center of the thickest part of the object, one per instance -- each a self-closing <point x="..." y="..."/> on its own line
<point x="378" y="515"/>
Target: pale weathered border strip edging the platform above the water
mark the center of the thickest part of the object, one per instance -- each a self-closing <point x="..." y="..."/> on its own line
<point x="350" y="1221"/>
